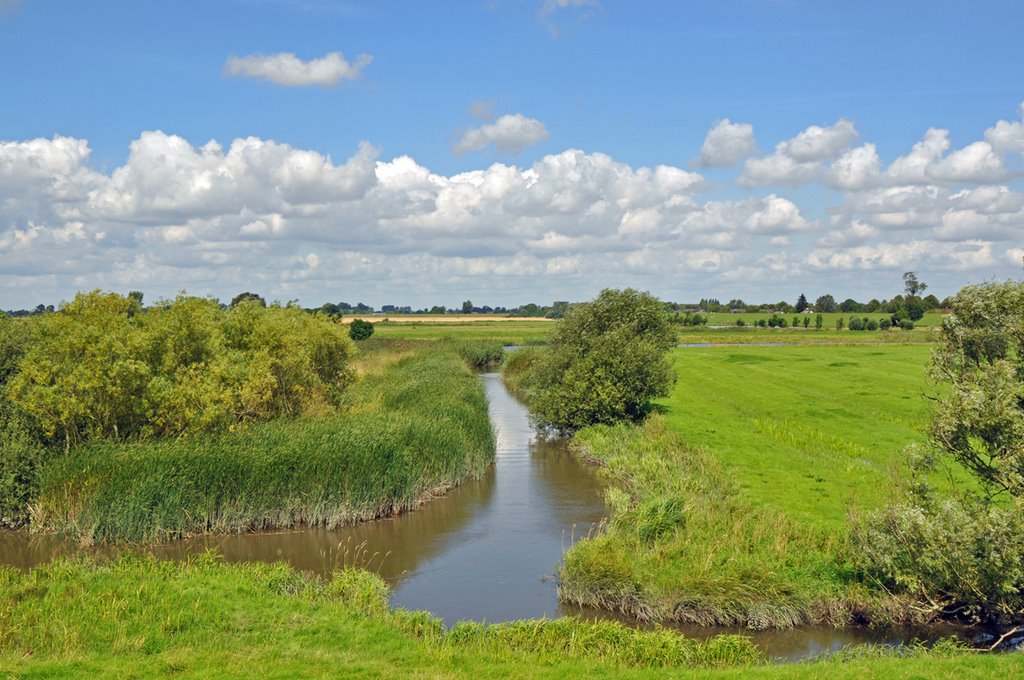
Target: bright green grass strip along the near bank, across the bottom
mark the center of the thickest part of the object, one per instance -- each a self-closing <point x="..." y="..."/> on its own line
<point x="140" y="618"/>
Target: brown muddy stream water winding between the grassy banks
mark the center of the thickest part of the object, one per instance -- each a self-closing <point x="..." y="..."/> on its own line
<point x="486" y="551"/>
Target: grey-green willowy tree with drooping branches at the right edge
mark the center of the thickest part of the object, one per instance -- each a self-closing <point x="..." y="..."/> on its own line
<point x="964" y="554"/>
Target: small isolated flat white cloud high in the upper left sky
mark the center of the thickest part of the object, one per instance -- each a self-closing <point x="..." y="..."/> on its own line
<point x="288" y="70"/>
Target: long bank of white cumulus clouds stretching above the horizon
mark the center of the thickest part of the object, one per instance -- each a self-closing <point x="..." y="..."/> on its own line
<point x="291" y="223"/>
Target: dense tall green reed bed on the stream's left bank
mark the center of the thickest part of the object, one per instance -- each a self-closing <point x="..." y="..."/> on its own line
<point x="416" y="426"/>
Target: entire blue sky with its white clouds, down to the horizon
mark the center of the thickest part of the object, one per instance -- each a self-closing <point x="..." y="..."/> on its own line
<point x="575" y="99"/>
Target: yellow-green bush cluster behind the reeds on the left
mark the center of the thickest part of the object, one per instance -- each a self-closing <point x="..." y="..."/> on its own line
<point x="103" y="367"/>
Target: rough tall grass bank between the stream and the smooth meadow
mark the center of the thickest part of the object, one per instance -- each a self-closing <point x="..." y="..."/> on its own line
<point x="684" y="547"/>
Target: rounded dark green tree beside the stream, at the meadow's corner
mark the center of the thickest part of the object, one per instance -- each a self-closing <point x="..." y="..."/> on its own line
<point x="606" y="361"/>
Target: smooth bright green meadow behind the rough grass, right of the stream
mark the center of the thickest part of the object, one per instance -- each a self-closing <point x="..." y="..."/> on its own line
<point x="806" y="431"/>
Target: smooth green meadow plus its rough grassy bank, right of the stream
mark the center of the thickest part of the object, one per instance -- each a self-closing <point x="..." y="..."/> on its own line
<point x="732" y="506"/>
